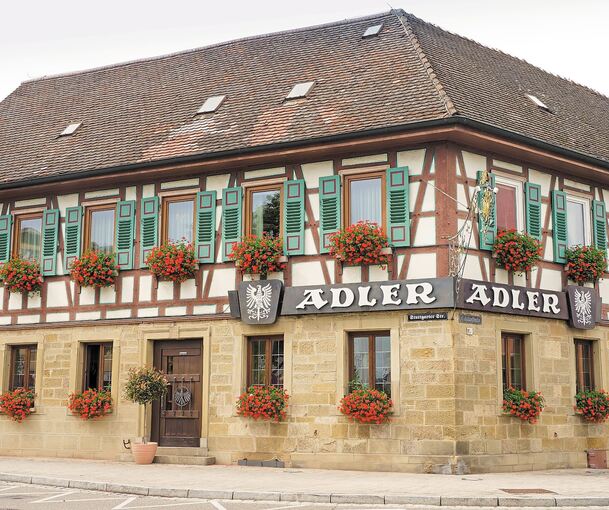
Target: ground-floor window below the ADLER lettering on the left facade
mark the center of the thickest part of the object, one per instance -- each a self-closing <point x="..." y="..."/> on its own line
<point x="370" y="360"/>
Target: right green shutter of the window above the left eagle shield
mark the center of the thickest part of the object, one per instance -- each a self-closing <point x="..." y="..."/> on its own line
<point x="293" y="217"/>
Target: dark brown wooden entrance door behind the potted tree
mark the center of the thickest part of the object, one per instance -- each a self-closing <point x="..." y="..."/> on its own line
<point x="176" y="420"/>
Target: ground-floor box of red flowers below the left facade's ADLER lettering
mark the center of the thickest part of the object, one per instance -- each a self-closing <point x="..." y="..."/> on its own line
<point x="366" y="405"/>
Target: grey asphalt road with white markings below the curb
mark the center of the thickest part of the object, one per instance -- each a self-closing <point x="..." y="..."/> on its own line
<point x="15" y="496"/>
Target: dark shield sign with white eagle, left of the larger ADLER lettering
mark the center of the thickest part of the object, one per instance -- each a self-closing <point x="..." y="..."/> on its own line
<point x="259" y="301"/>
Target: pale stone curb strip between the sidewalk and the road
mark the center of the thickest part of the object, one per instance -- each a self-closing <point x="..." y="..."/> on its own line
<point x="405" y="499"/>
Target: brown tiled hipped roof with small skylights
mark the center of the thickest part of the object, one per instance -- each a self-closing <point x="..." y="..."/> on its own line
<point x="144" y="111"/>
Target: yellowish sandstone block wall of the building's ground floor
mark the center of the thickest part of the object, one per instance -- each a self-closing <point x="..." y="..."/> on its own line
<point x="446" y="380"/>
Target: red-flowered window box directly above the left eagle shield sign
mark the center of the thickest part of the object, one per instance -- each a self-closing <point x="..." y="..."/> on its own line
<point x="259" y="255"/>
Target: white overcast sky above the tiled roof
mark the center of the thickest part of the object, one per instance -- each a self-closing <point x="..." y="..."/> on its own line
<point x="39" y="38"/>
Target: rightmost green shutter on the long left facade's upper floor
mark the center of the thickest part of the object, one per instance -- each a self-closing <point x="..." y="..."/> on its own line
<point x="398" y="209"/>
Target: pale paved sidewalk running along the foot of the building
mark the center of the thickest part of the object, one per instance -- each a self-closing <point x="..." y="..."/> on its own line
<point x="568" y="487"/>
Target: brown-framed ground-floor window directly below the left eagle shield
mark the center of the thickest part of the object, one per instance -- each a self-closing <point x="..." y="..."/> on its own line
<point x="265" y="361"/>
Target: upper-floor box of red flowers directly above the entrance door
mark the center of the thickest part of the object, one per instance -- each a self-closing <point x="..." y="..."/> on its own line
<point x="174" y="262"/>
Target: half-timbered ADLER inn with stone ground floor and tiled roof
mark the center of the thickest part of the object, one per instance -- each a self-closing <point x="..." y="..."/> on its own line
<point x="385" y="118"/>
